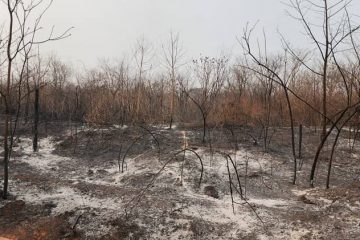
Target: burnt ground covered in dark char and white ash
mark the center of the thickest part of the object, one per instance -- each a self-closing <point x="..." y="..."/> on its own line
<point x="124" y="182"/>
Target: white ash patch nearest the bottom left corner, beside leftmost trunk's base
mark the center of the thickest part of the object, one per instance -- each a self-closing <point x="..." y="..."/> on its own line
<point x="66" y="199"/>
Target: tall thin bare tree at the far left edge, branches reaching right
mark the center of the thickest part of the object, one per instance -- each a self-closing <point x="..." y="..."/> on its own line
<point x="21" y="34"/>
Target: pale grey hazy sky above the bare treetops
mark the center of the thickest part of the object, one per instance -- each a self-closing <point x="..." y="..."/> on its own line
<point x="109" y="28"/>
